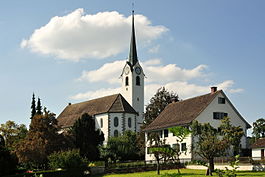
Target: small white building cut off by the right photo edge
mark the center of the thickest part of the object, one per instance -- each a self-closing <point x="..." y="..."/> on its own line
<point x="258" y="149"/>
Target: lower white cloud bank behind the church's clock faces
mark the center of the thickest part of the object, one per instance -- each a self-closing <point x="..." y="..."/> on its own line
<point x="170" y="76"/>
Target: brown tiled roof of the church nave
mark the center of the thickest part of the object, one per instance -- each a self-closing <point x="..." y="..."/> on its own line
<point x="108" y="104"/>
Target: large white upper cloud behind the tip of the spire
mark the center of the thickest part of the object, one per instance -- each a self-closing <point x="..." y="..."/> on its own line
<point x="77" y="35"/>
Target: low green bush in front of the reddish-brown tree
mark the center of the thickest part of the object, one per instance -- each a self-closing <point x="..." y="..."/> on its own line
<point x="66" y="160"/>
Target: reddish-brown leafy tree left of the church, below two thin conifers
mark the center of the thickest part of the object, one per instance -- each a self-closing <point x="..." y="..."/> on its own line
<point x="41" y="140"/>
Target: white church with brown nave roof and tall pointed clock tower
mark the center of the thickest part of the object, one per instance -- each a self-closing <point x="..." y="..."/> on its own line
<point x="117" y="113"/>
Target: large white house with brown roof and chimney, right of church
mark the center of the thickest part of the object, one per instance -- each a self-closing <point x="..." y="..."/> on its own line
<point x="209" y="108"/>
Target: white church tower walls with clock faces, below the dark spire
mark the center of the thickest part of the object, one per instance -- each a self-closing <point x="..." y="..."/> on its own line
<point x="133" y="89"/>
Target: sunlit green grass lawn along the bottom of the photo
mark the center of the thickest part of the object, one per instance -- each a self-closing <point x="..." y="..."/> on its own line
<point x="184" y="172"/>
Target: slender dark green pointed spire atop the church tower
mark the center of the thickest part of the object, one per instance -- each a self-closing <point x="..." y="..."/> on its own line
<point x="133" y="52"/>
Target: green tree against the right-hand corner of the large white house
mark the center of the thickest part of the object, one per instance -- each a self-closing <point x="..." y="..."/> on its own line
<point x="232" y="134"/>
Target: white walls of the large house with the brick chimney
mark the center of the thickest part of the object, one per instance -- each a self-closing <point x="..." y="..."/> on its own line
<point x="207" y="116"/>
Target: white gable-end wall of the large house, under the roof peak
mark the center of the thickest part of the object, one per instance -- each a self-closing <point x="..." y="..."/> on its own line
<point x="207" y="116"/>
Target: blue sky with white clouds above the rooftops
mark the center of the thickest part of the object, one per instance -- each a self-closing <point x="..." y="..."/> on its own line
<point x="74" y="50"/>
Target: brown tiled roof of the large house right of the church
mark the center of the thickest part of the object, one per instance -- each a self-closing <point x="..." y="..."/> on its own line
<point x="184" y="112"/>
